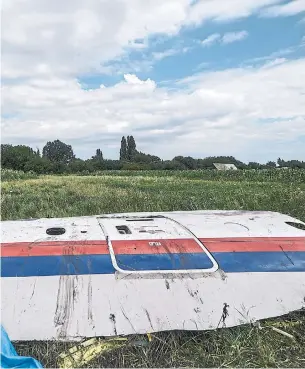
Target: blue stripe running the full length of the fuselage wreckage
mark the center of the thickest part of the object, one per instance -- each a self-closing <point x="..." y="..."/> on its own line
<point x="231" y="262"/>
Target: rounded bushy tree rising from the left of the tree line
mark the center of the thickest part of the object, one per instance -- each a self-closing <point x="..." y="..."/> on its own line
<point x="58" y="152"/>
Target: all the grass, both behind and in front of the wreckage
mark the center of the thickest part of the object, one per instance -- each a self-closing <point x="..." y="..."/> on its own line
<point x="27" y="195"/>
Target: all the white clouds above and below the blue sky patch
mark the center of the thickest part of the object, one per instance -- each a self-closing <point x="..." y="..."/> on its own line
<point x="46" y="45"/>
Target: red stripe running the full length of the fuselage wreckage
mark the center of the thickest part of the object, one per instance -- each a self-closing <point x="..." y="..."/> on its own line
<point x="161" y="246"/>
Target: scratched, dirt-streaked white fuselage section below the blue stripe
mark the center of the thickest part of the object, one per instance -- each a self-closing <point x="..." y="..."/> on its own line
<point x="184" y="304"/>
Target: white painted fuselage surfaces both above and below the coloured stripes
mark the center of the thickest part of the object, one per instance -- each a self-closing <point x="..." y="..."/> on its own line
<point x="72" y="307"/>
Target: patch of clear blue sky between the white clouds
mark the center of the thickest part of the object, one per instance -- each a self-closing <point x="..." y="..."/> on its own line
<point x="265" y="36"/>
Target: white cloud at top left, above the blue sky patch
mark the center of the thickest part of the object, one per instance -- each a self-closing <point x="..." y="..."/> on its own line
<point x="69" y="37"/>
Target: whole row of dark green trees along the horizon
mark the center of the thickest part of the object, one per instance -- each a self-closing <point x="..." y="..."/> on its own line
<point x="57" y="157"/>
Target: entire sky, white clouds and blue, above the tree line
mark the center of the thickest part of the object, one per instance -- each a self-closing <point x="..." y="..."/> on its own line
<point x="185" y="78"/>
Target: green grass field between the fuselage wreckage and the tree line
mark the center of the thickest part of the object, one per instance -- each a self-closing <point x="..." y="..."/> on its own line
<point x="52" y="196"/>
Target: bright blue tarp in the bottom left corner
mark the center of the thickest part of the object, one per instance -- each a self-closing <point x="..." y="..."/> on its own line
<point x="10" y="358"/>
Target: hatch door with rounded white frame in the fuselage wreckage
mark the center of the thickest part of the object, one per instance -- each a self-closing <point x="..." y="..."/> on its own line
<point x="154" y="245"/>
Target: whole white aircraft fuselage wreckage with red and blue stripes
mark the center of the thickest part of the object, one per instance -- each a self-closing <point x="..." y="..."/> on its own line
<point x="136" y="273"/>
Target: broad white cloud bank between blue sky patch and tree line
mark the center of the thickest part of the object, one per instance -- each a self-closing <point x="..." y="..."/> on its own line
<point x="210" y="113"/>
